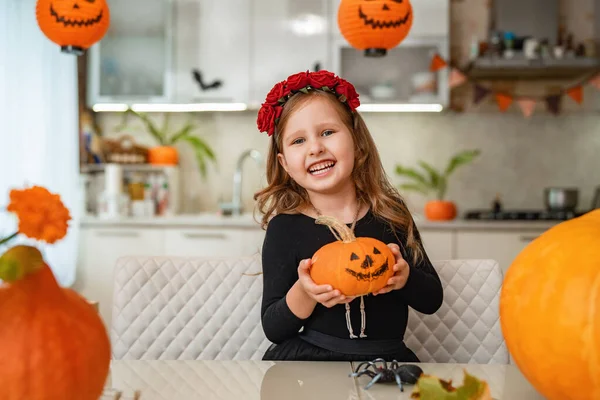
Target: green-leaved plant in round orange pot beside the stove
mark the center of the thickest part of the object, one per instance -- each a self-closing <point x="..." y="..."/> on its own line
<point x="433" y="181"/>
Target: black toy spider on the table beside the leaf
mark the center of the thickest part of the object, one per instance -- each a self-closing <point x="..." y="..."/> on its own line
<point x="394" y="371"/>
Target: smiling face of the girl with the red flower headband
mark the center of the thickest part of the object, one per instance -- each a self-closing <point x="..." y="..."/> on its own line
<point x="317" y="149"/>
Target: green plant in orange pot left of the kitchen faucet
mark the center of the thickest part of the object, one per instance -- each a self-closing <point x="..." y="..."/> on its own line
<point x="166" y="153"/>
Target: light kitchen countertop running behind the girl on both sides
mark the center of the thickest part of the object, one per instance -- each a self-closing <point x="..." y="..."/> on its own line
<point x="247" y="221"/>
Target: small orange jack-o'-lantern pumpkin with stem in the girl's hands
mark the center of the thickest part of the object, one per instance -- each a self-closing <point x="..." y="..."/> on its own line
<point x="354" y="266"/>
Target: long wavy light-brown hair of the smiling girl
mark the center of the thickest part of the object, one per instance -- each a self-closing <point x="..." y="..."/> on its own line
<point x="283" y="195"/>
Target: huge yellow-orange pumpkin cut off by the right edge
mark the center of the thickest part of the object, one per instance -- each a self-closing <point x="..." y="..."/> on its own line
<point x="550" y="310"/>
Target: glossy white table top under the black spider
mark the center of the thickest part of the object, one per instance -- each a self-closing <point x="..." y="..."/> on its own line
<point x="291" y="380"/>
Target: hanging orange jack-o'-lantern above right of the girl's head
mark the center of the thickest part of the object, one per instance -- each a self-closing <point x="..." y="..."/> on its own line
<point x="375" y="26"/>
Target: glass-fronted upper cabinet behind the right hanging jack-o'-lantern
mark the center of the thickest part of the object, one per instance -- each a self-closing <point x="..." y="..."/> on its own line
<point x="403" y="75"/>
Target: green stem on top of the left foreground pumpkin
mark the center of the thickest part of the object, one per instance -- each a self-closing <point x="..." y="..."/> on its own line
<point x="19" y="261"/>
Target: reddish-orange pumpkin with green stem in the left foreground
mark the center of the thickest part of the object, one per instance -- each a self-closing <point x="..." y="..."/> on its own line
<point x="53" y="344"/>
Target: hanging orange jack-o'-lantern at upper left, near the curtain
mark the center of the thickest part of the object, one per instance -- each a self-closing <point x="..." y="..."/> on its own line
<point x="74" y="25"/>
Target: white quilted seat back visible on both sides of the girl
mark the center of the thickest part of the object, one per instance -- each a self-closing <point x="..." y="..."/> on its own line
<point x="206" y="308"/>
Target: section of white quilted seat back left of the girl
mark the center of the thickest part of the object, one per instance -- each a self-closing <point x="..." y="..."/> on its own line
<point x="187" y="309"/>
